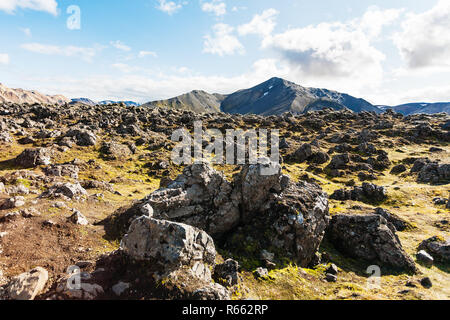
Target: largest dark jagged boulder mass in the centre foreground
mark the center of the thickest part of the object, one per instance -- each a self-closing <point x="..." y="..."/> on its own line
<point x="290" y="218"/>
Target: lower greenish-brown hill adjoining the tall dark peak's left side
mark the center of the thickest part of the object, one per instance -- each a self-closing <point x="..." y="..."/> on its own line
<point x="197" y="101"/>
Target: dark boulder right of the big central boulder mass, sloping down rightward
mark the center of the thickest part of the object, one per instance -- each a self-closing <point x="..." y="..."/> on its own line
<point x="369" y="237"/>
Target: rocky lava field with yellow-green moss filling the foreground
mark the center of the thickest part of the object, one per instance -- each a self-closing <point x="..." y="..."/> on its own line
<point x="89" y="196"/>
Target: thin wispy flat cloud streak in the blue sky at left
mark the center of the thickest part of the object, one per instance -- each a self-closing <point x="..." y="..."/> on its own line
<point x="84" y="53"/>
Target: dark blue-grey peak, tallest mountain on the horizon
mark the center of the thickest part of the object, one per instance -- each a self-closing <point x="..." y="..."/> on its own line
<point x="276" y="96"/>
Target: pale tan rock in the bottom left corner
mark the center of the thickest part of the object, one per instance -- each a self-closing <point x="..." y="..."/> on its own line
<point x="28" y="285"/>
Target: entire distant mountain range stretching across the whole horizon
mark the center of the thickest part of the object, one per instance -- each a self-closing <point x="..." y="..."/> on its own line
<point x="272" y="97"/>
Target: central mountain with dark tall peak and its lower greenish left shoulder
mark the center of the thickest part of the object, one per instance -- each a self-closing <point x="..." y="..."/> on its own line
<point x="274" y="96"/>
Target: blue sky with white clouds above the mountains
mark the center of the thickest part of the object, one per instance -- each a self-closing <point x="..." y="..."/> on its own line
<point x="386" y="51"/>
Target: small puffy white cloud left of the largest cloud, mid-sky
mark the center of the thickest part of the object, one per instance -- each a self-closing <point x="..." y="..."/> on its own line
<point x="223" y="42"/>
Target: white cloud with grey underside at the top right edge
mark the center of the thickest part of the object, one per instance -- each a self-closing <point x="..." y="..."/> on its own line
<point x="425" y="39"/>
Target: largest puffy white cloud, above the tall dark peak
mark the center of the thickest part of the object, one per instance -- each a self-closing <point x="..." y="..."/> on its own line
<point x="339" y="54"/>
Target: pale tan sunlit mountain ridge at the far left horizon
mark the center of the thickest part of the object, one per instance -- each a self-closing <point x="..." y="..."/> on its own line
<point x="24" y="96"/>
